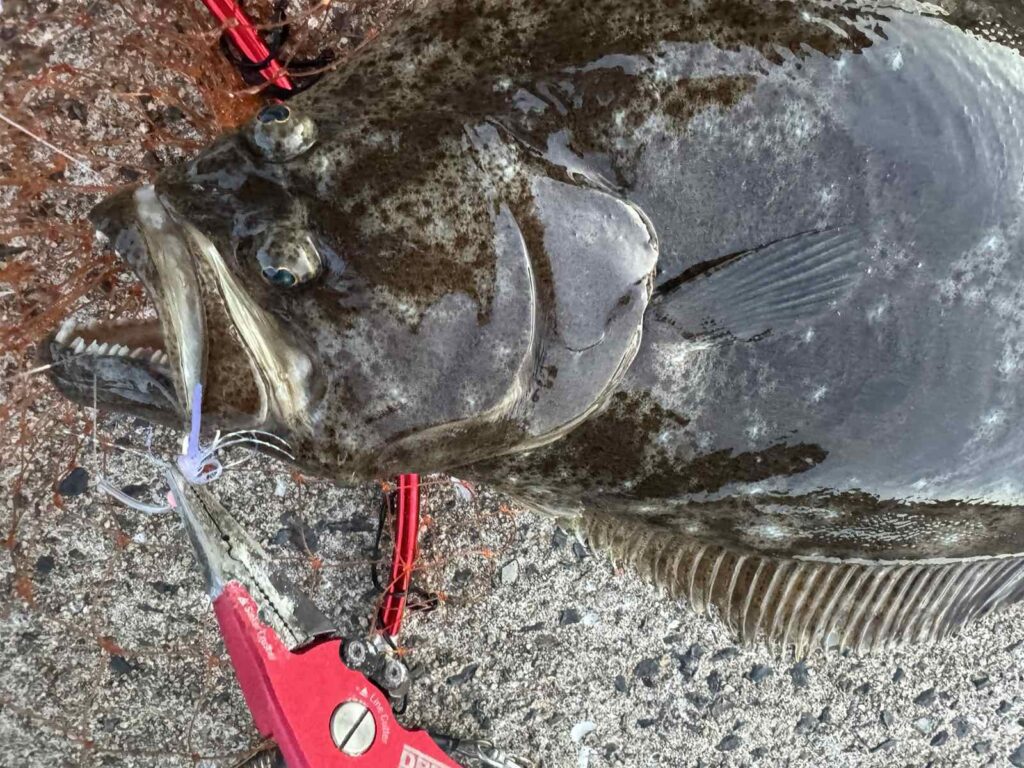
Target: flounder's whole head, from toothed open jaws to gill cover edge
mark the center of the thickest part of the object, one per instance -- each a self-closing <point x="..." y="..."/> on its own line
<point x="381" y="310"/>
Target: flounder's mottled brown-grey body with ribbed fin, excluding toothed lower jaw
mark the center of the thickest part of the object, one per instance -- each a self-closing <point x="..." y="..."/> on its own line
<point x="748" y="274"/>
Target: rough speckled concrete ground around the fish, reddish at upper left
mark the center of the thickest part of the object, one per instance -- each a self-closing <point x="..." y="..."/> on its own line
<point x="109" y="653"/>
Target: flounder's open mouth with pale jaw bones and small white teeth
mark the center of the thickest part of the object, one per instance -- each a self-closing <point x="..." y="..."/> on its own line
<point x="254" y="370"/>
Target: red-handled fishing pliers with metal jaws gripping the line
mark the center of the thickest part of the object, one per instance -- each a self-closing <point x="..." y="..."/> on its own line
<point x="288" y="658"/>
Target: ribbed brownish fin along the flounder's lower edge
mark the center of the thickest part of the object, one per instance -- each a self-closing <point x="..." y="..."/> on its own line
<point x="800" y="606"/>
